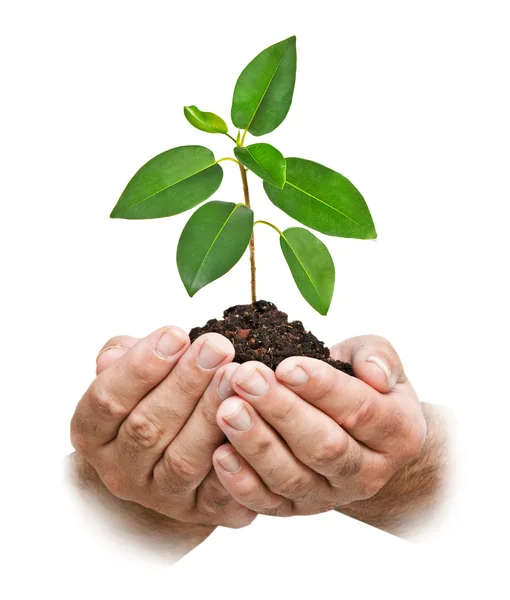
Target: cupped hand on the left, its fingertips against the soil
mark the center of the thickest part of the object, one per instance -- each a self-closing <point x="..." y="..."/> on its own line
<point x="147" y="424"/>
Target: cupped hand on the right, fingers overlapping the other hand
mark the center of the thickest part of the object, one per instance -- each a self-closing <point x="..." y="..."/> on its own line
<point x="309" y="438"/>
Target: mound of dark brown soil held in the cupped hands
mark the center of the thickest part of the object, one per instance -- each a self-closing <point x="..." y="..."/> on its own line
<point x="260" y="331"/>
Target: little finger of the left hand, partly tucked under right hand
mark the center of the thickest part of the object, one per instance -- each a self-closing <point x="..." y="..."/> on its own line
<point x="216" y="506"/>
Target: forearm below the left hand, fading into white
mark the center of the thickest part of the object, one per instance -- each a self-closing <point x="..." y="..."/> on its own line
<point x="158" y="532"/>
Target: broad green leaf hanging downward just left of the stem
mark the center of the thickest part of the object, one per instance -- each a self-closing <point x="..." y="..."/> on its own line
<point x="212" y="242"/>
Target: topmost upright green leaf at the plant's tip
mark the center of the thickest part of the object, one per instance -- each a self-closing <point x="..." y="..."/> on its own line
<point x="263" y="92"/>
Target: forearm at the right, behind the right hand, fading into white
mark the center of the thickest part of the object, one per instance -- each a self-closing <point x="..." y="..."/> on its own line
<point x="413" y="495"/>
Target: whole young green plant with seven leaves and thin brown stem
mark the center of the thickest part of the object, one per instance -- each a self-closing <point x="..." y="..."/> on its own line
<point x="218" y="233"/>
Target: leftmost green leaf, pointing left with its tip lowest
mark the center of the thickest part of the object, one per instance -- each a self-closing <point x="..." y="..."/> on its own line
<point x="169" y="184"/>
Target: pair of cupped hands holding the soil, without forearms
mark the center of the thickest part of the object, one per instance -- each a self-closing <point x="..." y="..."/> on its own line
<point x="304" y="439"/>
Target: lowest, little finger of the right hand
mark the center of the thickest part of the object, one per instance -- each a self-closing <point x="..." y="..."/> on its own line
<point x="245" y="486"/>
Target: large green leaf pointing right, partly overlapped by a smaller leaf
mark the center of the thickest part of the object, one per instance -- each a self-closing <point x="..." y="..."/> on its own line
<point x="323" y="199"/>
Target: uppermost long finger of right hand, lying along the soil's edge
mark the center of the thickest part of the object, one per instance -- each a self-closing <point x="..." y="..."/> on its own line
<point x="375" y="419"/>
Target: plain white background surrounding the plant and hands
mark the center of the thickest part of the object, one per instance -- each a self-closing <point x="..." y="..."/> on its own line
<point x="410" y="101"/>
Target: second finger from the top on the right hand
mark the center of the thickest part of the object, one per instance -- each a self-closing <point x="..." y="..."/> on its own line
<point x="314" y="438"/>
